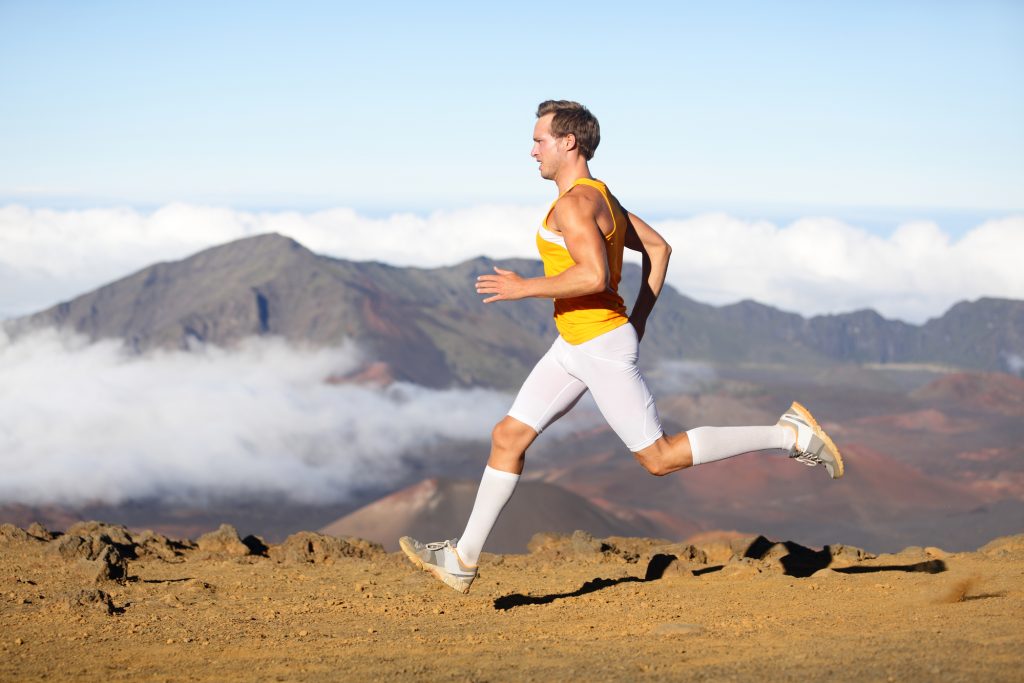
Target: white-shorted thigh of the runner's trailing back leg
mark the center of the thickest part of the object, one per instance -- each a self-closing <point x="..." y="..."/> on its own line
<point x="609" y="366"/>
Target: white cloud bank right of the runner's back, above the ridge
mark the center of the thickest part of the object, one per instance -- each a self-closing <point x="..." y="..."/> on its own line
<point x="822" y="266"/>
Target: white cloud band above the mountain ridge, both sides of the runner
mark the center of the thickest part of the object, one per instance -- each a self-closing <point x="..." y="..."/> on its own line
<point x="812" y="267"/>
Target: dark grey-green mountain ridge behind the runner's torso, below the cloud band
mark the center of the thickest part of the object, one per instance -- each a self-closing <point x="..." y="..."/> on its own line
<point x="431" y="327"/>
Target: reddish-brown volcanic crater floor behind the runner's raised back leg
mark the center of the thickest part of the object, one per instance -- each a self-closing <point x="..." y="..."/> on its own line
<point x="921" y="471"/>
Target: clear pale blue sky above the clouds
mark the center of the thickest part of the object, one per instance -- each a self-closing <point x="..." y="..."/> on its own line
<point x="883" y="110"/>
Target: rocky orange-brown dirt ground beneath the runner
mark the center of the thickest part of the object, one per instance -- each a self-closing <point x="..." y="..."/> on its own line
<point x="101" y="604"/>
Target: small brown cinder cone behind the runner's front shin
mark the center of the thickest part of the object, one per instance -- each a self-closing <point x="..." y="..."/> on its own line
<point x="438" y="509"/>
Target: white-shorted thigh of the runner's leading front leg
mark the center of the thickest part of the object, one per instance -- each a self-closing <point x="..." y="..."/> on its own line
<point x="549" y="393"/>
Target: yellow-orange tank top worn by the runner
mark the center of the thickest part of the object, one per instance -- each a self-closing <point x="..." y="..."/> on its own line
<point x="584" y="318"/>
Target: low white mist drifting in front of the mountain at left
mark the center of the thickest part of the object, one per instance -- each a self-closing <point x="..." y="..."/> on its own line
<point x="83" y="423"/>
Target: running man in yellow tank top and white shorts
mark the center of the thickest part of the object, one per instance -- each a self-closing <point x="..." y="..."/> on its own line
<point x="581" y="242"/>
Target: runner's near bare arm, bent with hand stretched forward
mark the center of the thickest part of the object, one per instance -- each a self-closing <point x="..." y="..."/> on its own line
<point x="577" y="220"/>
